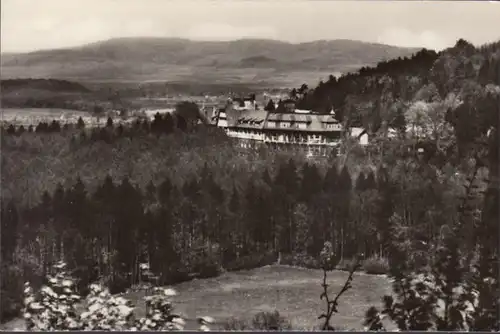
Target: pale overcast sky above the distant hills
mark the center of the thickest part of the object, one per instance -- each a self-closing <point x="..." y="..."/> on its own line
<point x="28" y="25"/>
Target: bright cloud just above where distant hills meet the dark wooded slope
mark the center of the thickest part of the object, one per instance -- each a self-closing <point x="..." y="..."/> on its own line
<point x="406" y="38"/>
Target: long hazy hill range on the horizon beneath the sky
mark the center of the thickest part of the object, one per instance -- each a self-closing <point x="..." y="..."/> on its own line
<point x="181" y="60"/>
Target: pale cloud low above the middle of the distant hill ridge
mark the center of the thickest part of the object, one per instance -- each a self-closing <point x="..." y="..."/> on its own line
<point x="220" y="31"/>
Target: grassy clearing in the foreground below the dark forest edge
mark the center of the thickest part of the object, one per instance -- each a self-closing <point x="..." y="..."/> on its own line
<point x="294" y="292"/>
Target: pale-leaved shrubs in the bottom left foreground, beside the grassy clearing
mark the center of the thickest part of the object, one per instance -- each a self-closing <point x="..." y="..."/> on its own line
<point x="55" y="308"/>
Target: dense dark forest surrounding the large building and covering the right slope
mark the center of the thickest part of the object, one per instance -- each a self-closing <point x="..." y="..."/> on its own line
<point x="107" y="200"/>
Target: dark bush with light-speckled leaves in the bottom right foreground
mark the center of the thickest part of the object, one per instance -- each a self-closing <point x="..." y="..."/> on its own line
<point x="438" y="300"/>
